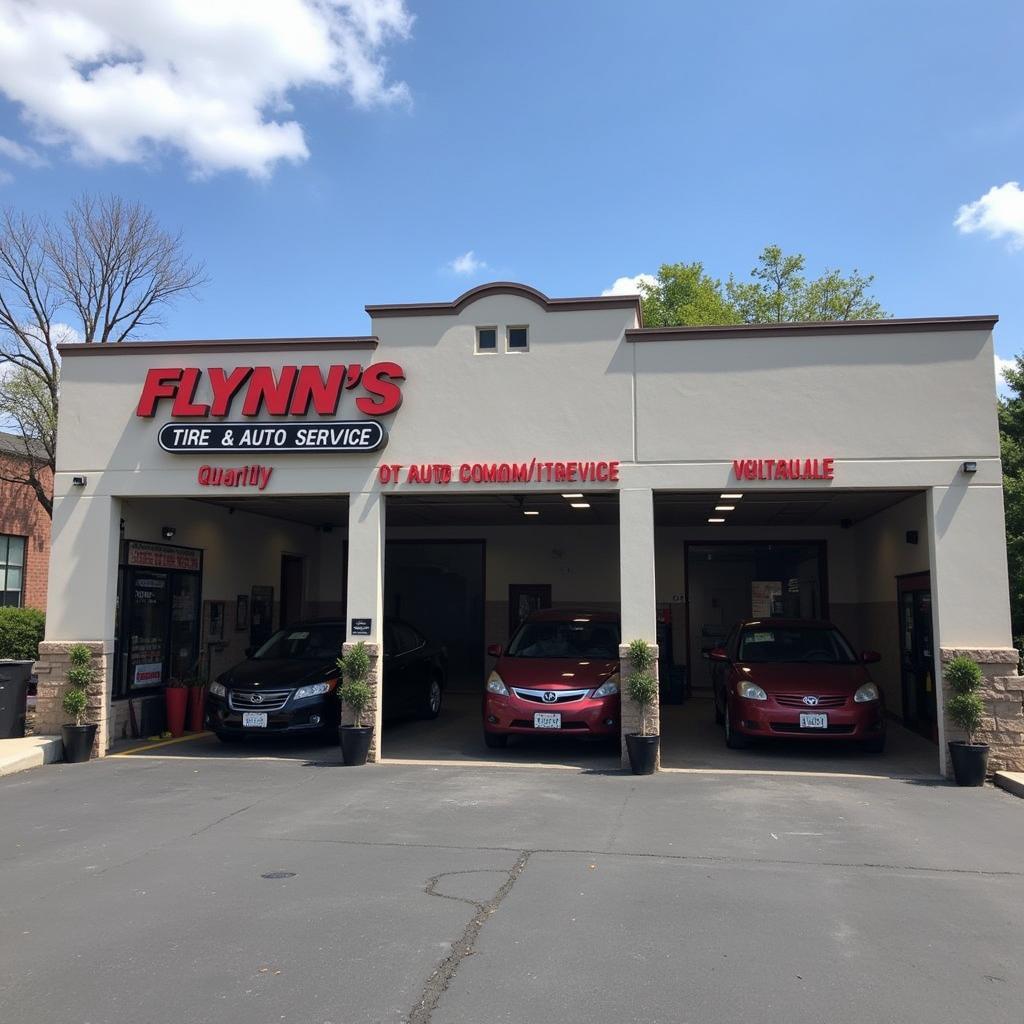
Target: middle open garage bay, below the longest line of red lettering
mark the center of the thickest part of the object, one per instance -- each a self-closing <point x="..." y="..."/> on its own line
<point x="463" y="572"/>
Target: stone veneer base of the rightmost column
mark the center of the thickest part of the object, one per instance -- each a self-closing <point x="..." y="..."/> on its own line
<point x="1003" y="693"/>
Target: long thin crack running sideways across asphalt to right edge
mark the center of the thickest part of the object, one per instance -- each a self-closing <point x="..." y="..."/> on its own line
<point x="681" y="858"/>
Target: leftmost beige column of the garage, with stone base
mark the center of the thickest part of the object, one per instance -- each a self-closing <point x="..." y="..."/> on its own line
<point x="82" y="596"/>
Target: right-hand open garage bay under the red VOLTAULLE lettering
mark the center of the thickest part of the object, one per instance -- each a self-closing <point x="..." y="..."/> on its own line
<point x="790" y="562"/>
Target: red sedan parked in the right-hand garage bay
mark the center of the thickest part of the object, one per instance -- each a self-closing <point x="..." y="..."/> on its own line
<point x="795" y="679"/>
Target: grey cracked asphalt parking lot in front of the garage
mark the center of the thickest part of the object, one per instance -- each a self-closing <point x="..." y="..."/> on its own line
<point x="183" y="889"/>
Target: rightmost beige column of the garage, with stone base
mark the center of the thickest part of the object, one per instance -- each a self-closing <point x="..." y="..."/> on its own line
<point x="971" y="603"/>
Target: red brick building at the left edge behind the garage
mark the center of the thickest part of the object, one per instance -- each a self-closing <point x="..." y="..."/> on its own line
<point x="25" y="527"/>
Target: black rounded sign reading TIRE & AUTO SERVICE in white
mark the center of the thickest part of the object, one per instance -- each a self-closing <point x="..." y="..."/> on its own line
<point x="337" y="436"/>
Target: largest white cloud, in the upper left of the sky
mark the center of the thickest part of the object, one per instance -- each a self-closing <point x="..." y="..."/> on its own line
<point x="118" y="81"/>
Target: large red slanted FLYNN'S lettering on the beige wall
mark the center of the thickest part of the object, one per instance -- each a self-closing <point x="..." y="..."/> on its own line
<point x="290" y="392"/>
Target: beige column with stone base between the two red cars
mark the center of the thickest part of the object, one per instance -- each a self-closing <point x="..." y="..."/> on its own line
<point x="636" y="585"/>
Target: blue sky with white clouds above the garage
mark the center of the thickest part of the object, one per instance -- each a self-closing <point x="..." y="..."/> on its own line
<point x="564" y="145"/>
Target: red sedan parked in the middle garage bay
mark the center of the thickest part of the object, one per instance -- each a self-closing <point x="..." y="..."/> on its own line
<point x="560" y="676"/>
